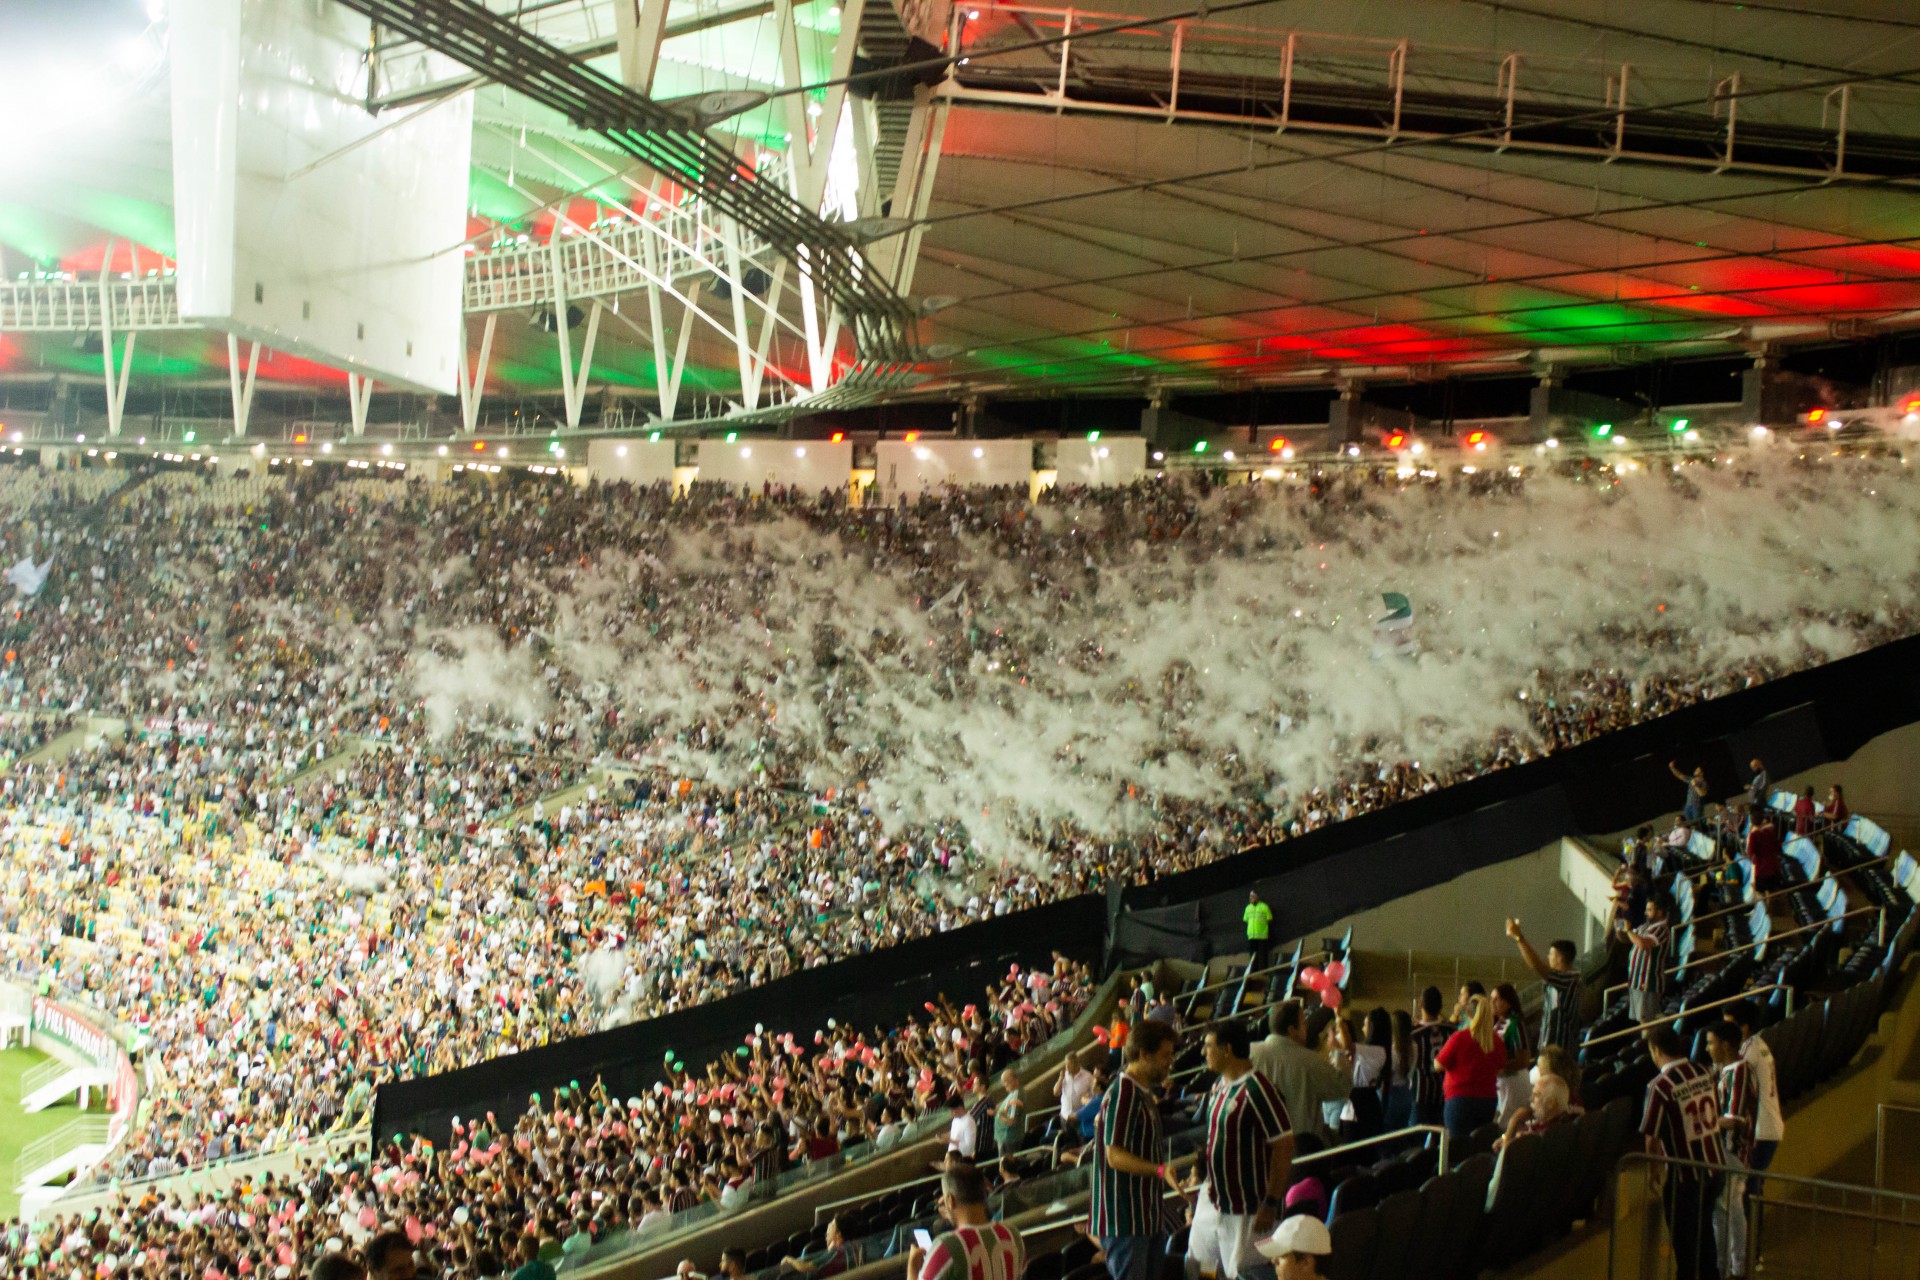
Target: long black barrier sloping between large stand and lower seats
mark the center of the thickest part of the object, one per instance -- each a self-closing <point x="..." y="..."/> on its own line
<point x="1310" y="884"/>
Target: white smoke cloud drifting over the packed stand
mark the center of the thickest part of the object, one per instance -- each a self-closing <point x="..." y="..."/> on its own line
<point x="1260" y="652"/>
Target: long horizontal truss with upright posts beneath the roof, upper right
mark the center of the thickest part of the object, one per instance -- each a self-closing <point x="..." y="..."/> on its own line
<point x="1216" y="74"/>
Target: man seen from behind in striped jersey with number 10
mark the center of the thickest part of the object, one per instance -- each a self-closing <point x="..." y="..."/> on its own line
<point x="1683" y="1122"/>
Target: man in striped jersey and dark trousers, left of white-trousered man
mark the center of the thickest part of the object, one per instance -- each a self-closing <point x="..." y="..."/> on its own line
<point x="1130" y="1173"/>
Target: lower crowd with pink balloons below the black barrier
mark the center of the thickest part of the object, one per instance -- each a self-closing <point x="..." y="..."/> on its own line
<point x="579" y="1166"/>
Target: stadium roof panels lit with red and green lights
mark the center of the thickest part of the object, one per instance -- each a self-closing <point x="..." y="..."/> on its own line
<point x="1262" y="193"/>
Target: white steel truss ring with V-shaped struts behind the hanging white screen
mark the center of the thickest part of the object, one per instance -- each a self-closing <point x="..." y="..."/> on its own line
<point x="708" y="260"/>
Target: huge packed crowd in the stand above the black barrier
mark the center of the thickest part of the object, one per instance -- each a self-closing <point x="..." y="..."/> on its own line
<point x="421" y="774"/>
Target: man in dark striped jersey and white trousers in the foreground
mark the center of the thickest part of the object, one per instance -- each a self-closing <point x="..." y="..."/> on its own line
<point x="1247" y="1160"/>
